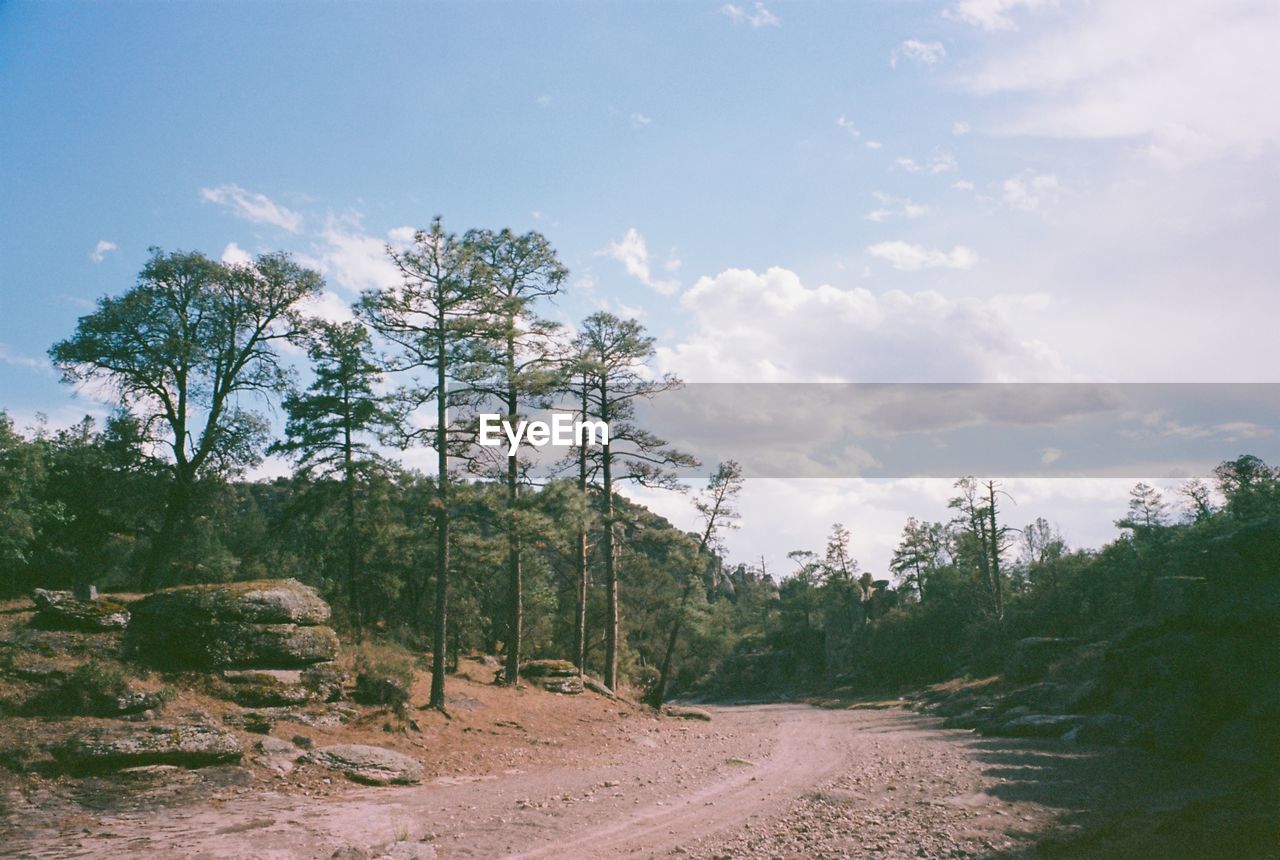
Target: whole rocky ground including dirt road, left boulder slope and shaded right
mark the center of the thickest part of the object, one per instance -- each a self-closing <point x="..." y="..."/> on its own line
<point x="220" y="754"/>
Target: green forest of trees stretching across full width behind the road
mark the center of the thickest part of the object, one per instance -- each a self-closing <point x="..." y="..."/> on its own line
<point x="536" y="565"/>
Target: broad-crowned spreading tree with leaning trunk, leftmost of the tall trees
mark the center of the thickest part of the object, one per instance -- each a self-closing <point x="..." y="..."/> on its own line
<point x="188" y="350"/>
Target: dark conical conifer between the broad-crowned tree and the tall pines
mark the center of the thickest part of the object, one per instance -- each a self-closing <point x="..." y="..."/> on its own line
<point x="333" y="424"/>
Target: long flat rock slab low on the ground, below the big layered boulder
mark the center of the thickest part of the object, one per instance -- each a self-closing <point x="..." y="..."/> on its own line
<point x="125" y="747"/>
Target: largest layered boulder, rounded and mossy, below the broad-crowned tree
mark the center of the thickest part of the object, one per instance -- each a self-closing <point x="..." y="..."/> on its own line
<point x="237" y="625"/>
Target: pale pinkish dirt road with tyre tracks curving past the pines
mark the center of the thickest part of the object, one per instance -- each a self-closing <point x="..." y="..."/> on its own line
<point x="757" y="781"/>
